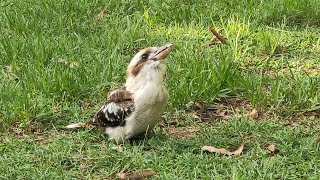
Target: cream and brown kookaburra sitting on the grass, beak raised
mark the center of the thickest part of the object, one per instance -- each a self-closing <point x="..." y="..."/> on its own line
<point x="138" y="106"/>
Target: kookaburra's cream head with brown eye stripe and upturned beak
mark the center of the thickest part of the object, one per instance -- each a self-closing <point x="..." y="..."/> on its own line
<point x="148" y="64"/>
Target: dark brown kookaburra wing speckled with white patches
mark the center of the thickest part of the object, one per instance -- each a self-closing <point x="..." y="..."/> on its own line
<point x="118" y="107"/>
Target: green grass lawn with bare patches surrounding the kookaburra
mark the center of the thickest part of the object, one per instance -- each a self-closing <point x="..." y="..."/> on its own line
<point x="58" y="60"/>
